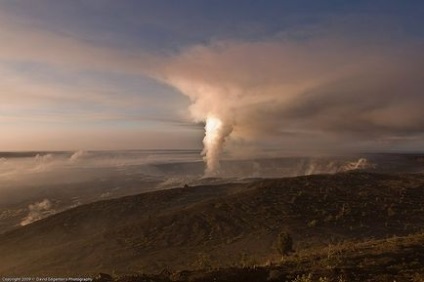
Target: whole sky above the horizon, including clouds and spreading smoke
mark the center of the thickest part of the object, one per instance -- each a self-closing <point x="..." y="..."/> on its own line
<point x="301" y="76"/>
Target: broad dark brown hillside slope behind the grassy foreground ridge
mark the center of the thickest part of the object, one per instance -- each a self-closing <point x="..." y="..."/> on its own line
<point x="215" y="226"/>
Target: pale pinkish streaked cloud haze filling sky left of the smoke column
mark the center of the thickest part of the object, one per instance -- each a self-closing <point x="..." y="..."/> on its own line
<point x="62" y="92"/>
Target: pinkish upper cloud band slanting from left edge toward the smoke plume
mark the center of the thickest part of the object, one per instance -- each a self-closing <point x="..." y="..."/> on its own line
<point x="23" y="42"/>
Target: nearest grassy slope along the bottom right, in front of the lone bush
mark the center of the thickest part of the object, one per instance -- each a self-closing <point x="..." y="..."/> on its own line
<point x="392" y="259"/>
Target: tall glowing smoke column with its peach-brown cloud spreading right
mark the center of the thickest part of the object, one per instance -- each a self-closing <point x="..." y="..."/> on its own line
<point x="316" y="94"/>
